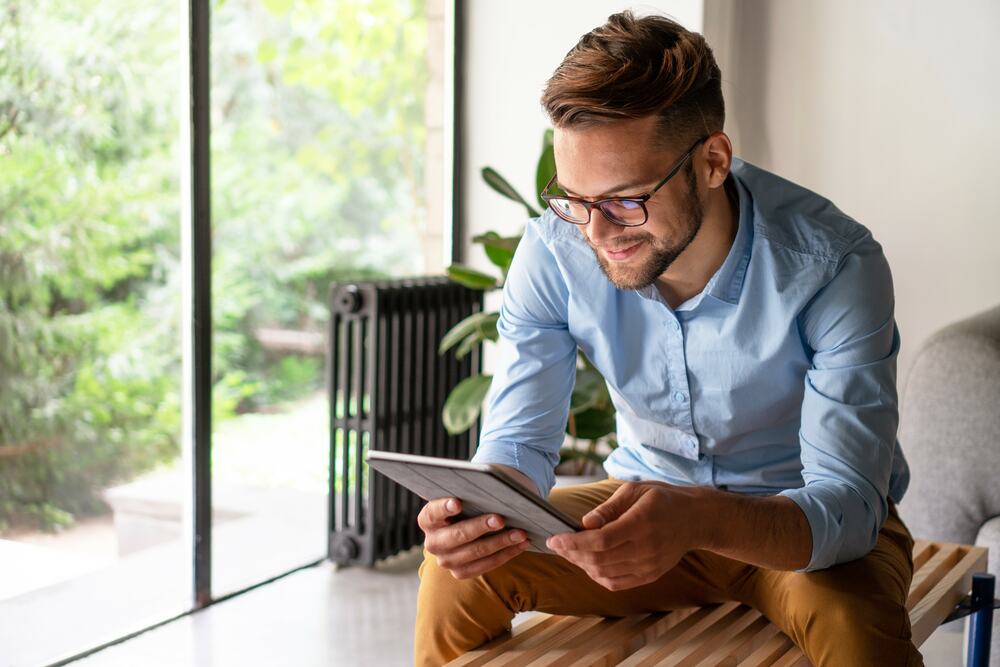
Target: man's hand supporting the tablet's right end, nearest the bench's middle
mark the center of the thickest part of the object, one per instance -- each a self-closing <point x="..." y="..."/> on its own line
<point x="632" y="538"/>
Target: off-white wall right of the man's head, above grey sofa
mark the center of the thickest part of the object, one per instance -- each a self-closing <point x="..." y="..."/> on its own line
<point x="890" y="109"/>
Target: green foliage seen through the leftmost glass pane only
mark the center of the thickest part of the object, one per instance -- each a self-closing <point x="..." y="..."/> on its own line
<point x="89" y="375"/>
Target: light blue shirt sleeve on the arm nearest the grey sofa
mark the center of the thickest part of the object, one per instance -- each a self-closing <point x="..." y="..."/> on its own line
<point x="850" y="407"/>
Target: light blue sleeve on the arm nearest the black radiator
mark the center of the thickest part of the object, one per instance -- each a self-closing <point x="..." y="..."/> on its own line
<point x="528" y="404"/>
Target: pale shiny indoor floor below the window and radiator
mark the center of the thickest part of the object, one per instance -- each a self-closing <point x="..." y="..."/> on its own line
<point x="321" y="617"/>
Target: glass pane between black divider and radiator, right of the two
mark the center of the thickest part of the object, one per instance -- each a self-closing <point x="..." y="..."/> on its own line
<point x="322" y="128"/>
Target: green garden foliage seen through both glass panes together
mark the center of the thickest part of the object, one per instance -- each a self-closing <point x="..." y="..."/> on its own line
<point x="318" y="174"/>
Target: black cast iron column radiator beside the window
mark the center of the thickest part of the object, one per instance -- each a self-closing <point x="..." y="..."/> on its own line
<point x="387" y="385"/>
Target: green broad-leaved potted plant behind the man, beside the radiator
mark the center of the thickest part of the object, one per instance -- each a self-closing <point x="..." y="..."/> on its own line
<point x="591" y="421"/>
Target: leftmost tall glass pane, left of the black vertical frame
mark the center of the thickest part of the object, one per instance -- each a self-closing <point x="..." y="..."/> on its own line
<point x="91" y="542"/>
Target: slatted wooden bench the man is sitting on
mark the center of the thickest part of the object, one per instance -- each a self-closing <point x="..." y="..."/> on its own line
<point x="726" y="634"/>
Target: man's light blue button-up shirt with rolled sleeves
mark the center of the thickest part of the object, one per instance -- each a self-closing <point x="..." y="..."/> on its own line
<point x="778" y="378"/>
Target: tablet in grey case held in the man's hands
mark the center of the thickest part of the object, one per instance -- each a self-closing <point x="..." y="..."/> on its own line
<point x="483" y="488"/>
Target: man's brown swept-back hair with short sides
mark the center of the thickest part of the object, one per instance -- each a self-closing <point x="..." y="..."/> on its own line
<point x="632" y="68"/>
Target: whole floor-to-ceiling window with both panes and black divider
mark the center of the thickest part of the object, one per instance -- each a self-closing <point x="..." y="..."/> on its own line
<point x="327" y="163"/>
